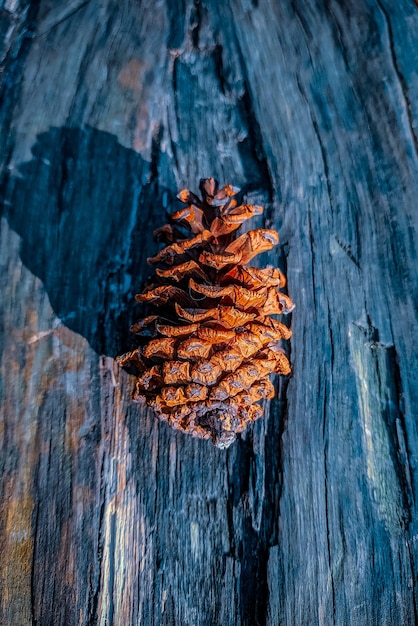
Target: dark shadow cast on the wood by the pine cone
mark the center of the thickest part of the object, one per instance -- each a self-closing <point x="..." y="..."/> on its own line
<point x="85" y="231"/>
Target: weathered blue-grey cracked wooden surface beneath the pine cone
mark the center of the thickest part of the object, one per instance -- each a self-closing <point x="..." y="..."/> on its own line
<point x="108" y="108"/>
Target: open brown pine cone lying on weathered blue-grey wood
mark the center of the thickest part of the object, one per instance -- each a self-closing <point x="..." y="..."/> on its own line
<point x="209" y="345"/>
